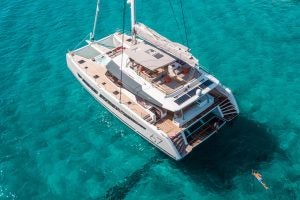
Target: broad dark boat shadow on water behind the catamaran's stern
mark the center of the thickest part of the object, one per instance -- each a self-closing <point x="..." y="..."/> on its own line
<point x="236" y="149"/>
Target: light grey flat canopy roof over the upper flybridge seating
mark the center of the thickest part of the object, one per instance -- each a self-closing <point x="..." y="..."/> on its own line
<point x="149" y="56"/>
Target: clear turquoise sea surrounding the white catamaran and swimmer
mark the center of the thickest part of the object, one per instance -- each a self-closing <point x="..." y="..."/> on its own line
<point x="57" y="142"/>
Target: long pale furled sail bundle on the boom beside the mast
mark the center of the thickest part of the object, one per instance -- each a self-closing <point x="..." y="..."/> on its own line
<point x="173" y="48"/>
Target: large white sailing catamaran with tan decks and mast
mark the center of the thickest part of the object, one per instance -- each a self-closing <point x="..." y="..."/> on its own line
<point x="155" y="86"/>
